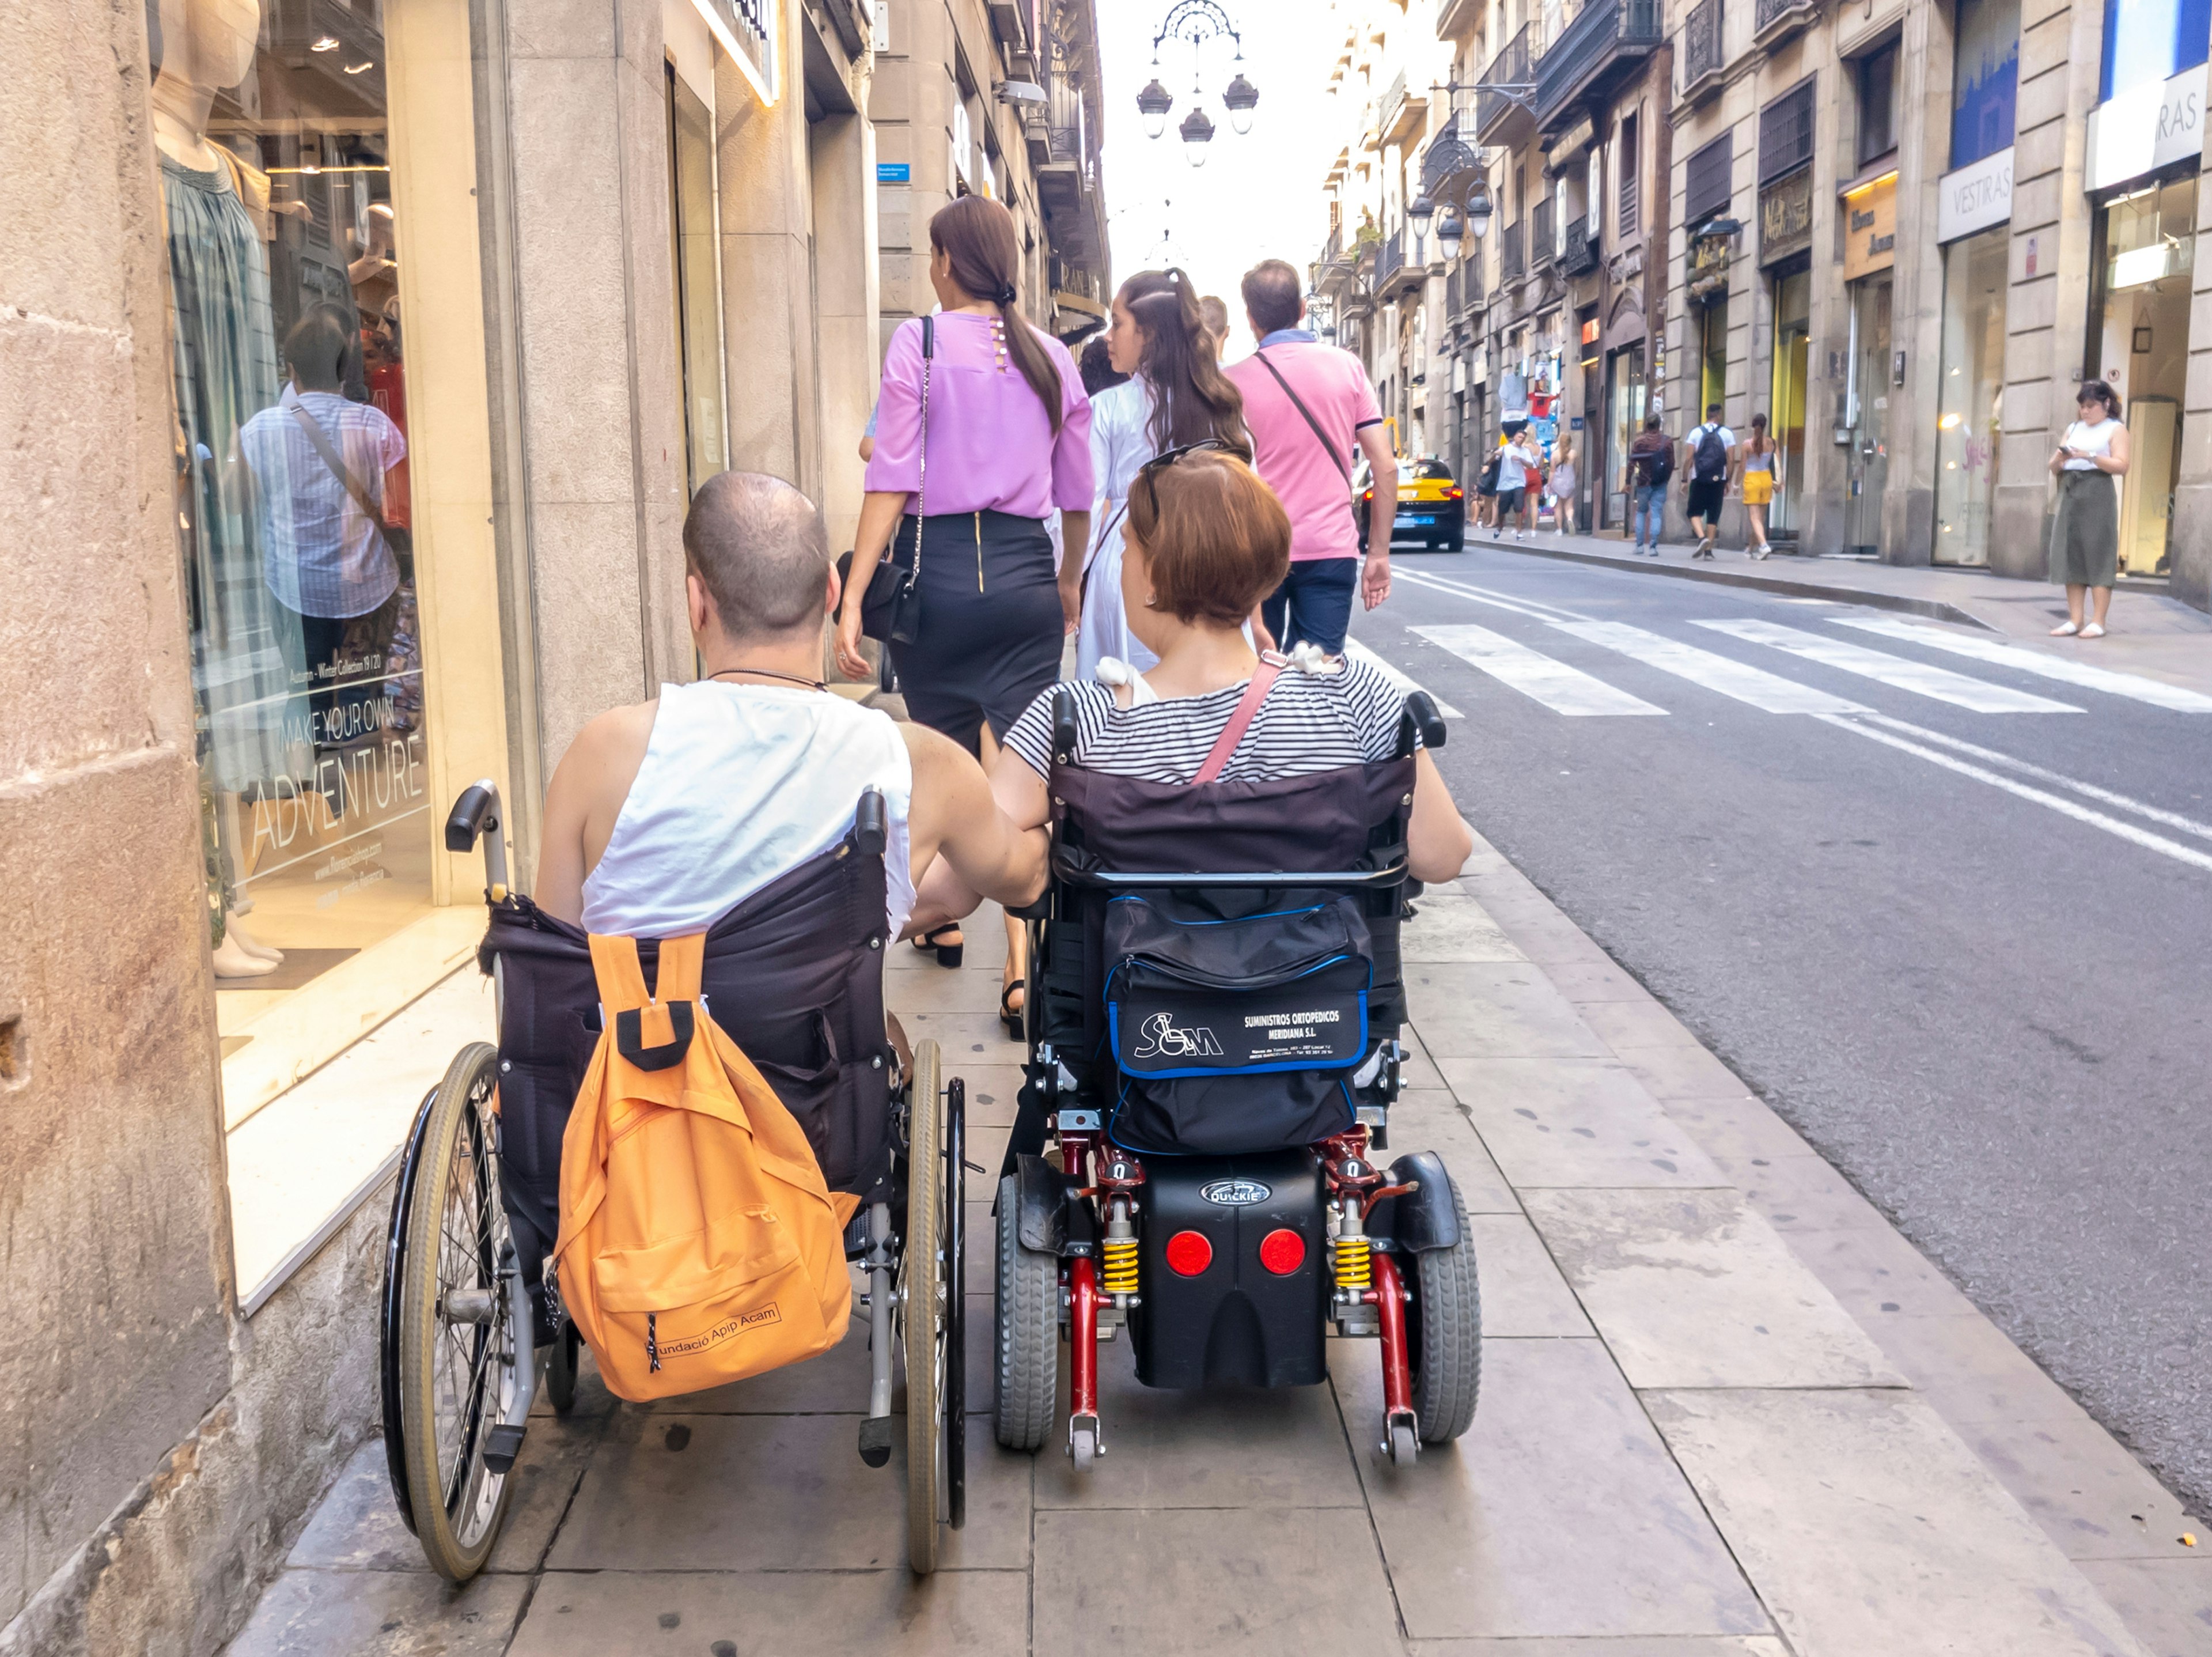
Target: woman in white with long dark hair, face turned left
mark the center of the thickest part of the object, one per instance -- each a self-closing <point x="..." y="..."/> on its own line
<point x="1176" y="397"/>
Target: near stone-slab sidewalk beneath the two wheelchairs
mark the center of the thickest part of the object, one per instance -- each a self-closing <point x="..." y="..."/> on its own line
<point x="1726" y="1413"/>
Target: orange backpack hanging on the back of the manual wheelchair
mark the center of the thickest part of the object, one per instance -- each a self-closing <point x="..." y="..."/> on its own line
<point x="698" y="1240"/>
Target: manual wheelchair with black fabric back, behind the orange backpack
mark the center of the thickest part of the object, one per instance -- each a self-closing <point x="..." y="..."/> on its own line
<point x="470" y="1306"/>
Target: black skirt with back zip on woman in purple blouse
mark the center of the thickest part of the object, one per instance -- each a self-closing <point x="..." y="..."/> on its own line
<point x="992" y="623"/>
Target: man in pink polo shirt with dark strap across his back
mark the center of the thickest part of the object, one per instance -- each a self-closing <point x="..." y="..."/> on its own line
<point x="1308" y="406"/>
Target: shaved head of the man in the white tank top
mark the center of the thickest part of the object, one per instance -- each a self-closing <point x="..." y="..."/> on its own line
<point x="762" y="552"/>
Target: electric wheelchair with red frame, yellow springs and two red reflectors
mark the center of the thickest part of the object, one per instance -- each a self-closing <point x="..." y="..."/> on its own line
<point x="1213" y="1054"/>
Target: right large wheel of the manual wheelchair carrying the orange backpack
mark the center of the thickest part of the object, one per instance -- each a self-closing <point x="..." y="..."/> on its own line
<point x="921" y="1306"/>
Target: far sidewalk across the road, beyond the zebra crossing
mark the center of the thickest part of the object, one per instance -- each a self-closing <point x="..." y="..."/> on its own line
<point x="2151" y="632"/>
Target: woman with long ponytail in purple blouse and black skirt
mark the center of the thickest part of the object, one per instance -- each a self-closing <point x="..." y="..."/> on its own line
<point x="981" y="433"/>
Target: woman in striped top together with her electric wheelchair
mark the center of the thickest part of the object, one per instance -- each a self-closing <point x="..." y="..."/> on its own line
<point x="1213" y="1039"/>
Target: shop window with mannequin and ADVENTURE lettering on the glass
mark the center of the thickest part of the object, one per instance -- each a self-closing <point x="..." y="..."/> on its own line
<point x="333" y="503"/>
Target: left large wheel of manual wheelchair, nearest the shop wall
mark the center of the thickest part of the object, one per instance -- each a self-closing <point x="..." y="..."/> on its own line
<point x="452" y="1333"/>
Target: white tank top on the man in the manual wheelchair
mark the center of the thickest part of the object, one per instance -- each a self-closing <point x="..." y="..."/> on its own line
<point x="740" y="786"/>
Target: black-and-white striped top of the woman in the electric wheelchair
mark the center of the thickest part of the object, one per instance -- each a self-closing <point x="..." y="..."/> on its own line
<point x="1311" y="722"/>
